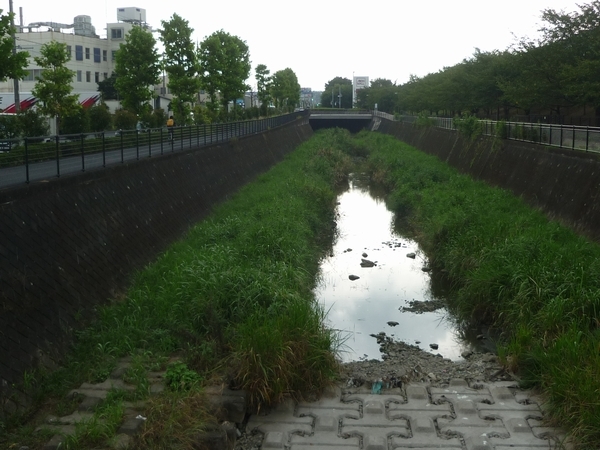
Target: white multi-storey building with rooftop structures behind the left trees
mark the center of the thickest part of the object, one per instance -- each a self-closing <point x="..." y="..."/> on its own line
<point x="92" y="57"/>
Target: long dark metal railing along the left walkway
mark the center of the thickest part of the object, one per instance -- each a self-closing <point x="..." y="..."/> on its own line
<point x="30" y="159"/>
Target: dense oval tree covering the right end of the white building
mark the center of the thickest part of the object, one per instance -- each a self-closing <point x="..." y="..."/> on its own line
<point x="138" y="70"/>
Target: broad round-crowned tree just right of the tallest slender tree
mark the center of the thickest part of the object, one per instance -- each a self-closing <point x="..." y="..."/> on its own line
<point x="224" y="68"/>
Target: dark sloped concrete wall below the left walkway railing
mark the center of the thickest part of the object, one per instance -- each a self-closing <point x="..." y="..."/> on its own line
<point x="69" y="244"/>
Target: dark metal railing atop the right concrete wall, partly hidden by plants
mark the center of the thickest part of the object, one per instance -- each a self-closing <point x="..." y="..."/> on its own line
<point x="572" y="137"/>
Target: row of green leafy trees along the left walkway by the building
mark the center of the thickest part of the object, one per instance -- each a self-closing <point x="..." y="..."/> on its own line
<point x="220" y="65"/>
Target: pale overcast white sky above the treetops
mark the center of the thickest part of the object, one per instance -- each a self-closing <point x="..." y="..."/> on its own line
<point x="321" y="40"/>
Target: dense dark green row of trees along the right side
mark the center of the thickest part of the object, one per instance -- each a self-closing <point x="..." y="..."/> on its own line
<point x="550" y="75"/>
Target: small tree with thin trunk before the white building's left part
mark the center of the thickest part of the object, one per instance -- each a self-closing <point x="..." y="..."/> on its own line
<point x="53" y="88"/>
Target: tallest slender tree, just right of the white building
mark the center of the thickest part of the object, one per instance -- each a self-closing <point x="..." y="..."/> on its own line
<point x="181" y="65"/>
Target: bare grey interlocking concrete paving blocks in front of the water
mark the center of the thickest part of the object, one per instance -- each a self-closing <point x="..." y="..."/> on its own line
<point x="485" y="416"/>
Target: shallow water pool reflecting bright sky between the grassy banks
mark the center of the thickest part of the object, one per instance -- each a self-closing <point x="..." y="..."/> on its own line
<point x="363" y="307"/>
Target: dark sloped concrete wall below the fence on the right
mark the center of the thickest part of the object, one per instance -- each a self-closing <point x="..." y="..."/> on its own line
<point x="564" y="184"/>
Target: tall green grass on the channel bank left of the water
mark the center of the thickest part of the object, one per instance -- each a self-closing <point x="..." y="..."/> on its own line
<point x="233" y="299"/>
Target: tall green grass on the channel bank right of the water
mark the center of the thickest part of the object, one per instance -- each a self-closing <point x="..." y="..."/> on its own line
<point x="510" y="268"/>
